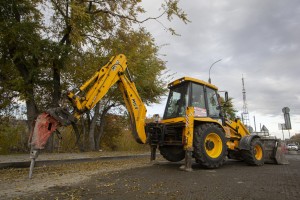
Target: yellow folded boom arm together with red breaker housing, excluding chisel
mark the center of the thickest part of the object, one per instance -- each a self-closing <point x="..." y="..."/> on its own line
<point x="93" y="91"/>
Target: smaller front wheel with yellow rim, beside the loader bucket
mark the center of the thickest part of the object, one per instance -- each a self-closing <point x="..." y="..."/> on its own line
<point x="255" y="155"/>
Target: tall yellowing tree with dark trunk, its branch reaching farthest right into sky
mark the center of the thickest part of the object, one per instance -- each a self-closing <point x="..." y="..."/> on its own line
<point x="79" y="24"/>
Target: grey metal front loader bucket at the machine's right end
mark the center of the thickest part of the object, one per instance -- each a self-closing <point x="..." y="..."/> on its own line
<point x="274" y="151"/>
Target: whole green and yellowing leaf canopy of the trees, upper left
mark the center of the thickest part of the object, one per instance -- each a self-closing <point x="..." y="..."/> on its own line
<point x="29" y="48"/>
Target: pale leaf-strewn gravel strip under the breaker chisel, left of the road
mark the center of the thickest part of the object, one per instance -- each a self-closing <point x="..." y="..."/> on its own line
<point x="15" y="184"/>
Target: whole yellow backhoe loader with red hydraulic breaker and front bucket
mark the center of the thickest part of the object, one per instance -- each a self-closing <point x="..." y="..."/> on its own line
<point x="193" y="125"/>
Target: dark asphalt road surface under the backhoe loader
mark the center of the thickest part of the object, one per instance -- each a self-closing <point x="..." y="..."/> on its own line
<point x="235" y="180"/>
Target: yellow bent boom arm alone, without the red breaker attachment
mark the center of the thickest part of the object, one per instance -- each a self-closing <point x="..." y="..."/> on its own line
<point x="100" y="83"/>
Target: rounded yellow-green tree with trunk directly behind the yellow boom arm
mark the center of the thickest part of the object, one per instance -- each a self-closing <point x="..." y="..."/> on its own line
<point x="145" y="68"/>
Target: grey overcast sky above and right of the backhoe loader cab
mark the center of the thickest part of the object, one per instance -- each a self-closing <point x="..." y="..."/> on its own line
<point x="259" y="39"/>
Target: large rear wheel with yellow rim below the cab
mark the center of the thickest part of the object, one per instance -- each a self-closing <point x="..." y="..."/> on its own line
<point x="206" y="152"/>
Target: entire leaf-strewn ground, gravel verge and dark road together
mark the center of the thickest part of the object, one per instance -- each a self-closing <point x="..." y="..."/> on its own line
<point x="138" y="179"/>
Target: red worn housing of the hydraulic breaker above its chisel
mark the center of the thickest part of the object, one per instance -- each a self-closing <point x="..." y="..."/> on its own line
<point x="45" y="125"/>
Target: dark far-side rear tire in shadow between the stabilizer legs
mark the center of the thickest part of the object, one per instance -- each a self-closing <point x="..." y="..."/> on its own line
<point x="172" y="153"/>
